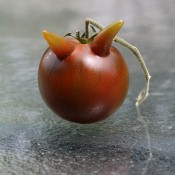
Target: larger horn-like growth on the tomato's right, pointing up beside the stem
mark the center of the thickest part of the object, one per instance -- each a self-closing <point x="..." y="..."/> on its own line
<point x="103" y="41"/>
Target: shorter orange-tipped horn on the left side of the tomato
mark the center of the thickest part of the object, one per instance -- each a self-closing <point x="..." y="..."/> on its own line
<point x="59" y="45"/>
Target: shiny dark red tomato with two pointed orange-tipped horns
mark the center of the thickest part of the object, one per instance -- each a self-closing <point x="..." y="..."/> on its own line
<point x="83" y="83"/>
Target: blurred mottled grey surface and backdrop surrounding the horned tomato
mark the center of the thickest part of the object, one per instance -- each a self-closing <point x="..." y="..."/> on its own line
<point x="33" y="140"/>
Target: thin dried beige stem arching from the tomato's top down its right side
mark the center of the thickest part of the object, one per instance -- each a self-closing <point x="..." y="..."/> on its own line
<point x="145" y="92"/>
